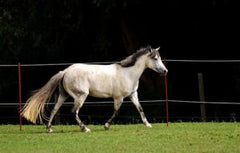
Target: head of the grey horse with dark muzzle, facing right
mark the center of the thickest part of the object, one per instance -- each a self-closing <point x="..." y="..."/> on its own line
<point x="154" y="61"/>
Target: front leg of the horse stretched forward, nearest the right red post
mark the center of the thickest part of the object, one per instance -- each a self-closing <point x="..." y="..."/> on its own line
<point x="134" y="99"/>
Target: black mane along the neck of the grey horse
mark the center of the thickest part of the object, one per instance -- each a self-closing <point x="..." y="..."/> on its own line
<point x="131" y="60"/>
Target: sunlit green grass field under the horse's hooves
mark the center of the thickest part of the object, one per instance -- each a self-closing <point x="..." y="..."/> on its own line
<point x="177" y="138"/>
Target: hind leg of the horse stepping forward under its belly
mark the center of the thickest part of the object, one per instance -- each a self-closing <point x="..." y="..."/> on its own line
<point x="78" y="102"/>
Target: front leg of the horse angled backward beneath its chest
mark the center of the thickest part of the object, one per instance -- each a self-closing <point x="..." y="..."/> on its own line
<point x="117" y="105"/>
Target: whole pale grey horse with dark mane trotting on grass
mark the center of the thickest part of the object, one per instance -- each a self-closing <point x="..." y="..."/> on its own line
<point x="118" y="81"/>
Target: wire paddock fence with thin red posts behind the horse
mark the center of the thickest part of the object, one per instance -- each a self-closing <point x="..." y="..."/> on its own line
<point x="198" y="90"/>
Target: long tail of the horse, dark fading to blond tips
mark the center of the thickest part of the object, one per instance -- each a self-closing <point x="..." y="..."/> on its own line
<point x="35" y="105"/>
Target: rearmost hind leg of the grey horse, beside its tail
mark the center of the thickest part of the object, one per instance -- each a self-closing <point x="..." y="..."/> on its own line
<point x="60" y="97"/>
